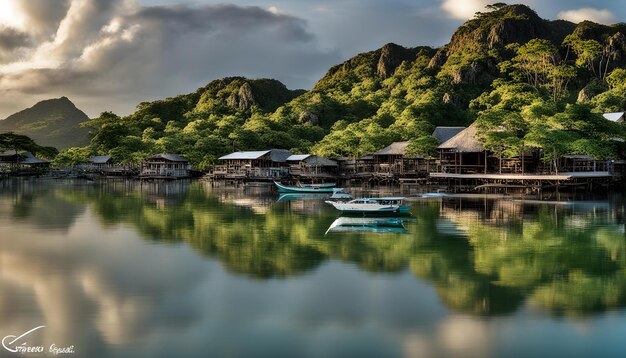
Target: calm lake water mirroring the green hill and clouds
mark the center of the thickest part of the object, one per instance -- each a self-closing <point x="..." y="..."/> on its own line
<point x="186" y="270"/>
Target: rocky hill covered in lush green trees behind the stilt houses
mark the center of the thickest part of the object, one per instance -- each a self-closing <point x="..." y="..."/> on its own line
<point x="525" y="77"/>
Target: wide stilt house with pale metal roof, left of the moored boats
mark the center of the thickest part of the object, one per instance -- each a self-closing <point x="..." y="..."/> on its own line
<point x="255" y="165"/>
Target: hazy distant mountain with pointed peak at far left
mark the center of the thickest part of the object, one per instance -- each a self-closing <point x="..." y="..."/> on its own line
<point x="53" y="122"/>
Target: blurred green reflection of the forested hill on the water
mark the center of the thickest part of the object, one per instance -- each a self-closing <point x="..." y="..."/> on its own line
<point x="559" y="257"/>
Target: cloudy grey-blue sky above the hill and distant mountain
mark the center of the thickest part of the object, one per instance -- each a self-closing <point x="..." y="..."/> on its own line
<point x="110" y="55"/>
